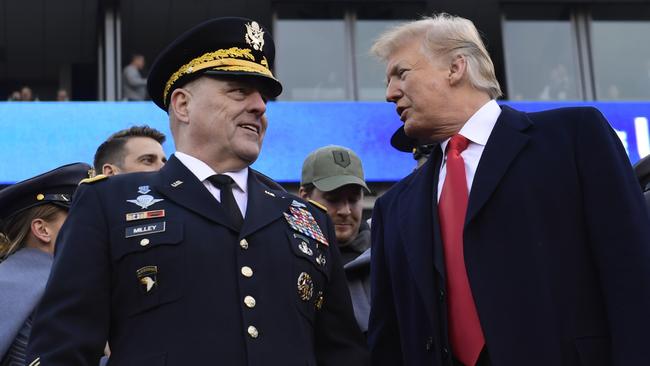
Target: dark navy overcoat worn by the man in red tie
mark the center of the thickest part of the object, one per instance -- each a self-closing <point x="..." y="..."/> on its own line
<point x="556" y="246"/>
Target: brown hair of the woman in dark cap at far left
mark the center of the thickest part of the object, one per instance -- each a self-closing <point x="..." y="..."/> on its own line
<point x="16" y="228"/>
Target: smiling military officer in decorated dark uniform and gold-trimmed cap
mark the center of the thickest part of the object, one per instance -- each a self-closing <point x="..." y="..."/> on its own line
<point x="204" y="261"/>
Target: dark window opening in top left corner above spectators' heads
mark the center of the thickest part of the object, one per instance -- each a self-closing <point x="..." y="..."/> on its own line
<point x="48" y="50"/>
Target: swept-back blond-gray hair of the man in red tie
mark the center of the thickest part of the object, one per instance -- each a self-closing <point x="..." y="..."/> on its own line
<point x="445" y="35"/>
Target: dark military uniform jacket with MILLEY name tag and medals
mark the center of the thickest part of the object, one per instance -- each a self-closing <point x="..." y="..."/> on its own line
<point x="179" y="286"/>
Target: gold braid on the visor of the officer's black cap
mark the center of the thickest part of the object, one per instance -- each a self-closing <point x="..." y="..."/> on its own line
<point x="231" y="59"/>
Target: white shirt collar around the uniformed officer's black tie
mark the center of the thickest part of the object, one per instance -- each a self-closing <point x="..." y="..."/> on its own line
<point x="202" y="171"/>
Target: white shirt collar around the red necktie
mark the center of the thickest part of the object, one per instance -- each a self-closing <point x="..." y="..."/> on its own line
<point x="477" y="130"/>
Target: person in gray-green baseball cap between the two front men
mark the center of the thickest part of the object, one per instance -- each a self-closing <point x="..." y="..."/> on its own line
<point x="333" y="179"/>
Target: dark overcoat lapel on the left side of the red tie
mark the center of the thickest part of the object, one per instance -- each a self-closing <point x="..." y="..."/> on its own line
<point x="418" y="216"/>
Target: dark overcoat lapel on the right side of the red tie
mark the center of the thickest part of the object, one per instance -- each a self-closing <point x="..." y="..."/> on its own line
<point x="506" y="141"/>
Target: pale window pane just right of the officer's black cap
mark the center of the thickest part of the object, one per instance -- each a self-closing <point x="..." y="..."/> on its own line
<point x="310" y="59"/>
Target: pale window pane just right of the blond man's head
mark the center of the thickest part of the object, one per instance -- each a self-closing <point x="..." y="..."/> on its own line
<point x="541" y="61"/>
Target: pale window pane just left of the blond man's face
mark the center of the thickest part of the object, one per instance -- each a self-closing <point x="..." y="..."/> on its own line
<point x="371" y="75"/>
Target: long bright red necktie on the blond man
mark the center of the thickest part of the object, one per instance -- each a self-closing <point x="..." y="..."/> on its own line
<point x="465" y="332"/>
